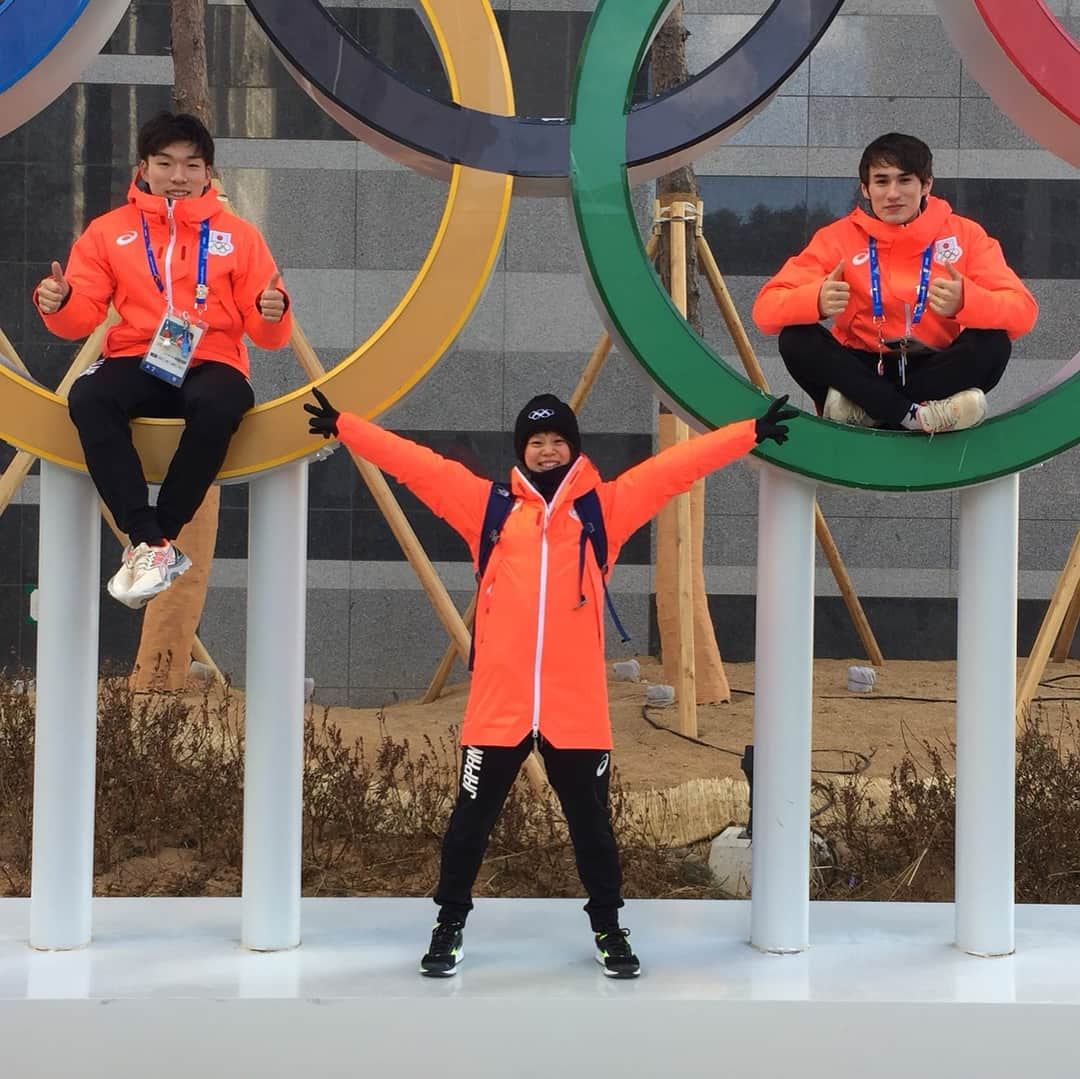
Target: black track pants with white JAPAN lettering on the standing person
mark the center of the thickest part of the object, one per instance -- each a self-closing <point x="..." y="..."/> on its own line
<point x="580" y="779"/>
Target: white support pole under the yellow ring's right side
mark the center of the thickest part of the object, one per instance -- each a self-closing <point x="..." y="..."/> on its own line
<point x="274" y="748"/>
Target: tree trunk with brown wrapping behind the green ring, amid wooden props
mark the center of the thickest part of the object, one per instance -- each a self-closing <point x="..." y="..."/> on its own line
<point x="670" y="71"/>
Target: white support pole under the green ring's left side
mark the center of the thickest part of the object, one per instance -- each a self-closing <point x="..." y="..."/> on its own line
<point x="784" y="683"/>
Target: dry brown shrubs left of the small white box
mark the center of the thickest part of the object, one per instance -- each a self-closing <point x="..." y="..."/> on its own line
<point x="170" y="803"/>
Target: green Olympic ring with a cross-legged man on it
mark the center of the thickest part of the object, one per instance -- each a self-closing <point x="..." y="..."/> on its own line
<point x="694" y="380"/>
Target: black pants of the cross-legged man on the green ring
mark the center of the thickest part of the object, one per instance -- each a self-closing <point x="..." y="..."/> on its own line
<point x="817" y="361"/>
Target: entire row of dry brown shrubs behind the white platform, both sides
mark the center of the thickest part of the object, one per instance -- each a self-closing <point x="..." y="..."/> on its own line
<point x="170" y="803"/>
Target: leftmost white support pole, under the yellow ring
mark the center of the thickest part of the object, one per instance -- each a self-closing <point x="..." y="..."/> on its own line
<point x="70" y="561"/>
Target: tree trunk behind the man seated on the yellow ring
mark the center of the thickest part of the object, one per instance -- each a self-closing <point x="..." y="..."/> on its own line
<point x="170" y="625"/>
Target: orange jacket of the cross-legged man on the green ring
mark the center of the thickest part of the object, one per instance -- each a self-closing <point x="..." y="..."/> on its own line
<point x="994" y="298"/>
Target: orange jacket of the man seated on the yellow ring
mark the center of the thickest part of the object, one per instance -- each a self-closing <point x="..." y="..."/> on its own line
<point x="109" y="264"/>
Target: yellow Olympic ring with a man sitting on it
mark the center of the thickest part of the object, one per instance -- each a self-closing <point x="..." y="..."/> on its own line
<point x="399" y="354"/>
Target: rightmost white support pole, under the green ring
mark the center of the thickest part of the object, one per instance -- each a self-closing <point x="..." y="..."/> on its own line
<point x="985" y="719"/>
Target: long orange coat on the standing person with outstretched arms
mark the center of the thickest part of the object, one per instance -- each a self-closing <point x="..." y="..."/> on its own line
<point x="539" y="655"/>
